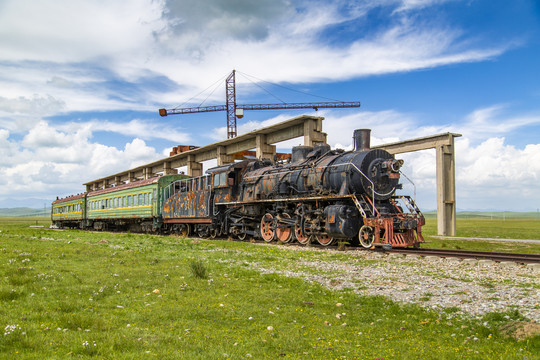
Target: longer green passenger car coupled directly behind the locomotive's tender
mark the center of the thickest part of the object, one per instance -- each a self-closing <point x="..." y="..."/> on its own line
<point x="135" y="206"/>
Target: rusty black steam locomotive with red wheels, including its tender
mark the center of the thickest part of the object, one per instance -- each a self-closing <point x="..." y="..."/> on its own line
<point x="320" y="195"/>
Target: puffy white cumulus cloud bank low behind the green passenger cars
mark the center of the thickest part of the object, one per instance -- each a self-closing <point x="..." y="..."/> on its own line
<point x="49" y="161"/>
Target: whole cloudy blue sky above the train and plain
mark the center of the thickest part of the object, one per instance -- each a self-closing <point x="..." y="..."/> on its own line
<point x="81" y="82"/>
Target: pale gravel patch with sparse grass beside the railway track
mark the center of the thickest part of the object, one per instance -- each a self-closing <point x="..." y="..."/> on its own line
<point x="474" y="287"/>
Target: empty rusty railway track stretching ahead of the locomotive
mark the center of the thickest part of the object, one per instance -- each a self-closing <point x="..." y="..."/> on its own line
<point x="469" y="254"/>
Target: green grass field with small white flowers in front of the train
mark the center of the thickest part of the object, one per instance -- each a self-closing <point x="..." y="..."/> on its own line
<point x="73" y="294"/>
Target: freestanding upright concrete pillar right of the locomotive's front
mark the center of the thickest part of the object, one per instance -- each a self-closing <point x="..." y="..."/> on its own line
<point x="446" y="190"/>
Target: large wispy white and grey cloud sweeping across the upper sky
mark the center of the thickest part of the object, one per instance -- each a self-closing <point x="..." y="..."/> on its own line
<point x="104" y="55"/>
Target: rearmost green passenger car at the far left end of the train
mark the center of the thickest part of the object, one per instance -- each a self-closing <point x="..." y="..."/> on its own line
<point x="69" y="212"/>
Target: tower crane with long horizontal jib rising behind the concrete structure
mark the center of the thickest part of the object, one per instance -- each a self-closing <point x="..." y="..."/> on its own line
<point x="235" y="110"/>
